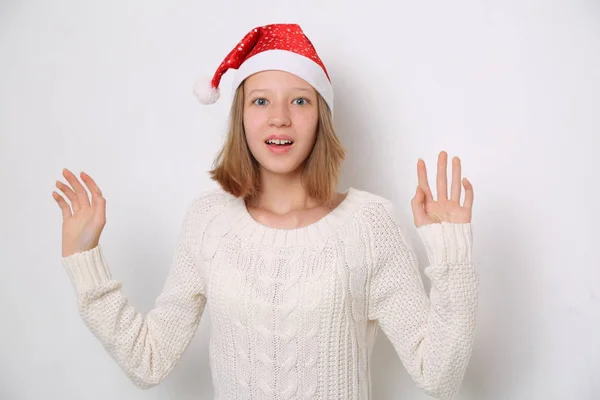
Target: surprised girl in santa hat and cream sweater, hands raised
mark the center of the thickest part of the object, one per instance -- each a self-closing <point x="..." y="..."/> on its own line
<point x="297" y="278"/>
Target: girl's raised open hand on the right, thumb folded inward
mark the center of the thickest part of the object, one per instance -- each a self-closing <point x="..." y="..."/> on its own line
<point x="428" y="211"/>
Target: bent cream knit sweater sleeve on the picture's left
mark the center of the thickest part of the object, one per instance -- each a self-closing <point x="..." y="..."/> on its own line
<point x="146" y="347"/>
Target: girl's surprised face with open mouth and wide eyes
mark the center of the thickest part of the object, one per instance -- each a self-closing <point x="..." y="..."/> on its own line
<point x="280" y="120"/>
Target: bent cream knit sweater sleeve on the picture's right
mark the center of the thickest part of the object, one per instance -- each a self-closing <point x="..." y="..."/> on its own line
<point x="432" y="334"/>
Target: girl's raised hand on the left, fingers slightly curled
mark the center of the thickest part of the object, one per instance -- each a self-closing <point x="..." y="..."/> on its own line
<point x="83" y="224"/>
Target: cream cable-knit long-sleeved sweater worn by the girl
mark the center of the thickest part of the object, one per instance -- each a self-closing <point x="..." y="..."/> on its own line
<point x="294" y="312"/>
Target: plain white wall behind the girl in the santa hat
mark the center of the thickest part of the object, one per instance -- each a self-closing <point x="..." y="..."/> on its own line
<point x="512" y="87"/>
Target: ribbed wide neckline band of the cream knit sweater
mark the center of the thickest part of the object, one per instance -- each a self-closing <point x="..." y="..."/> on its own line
<point x="256" y="232"/>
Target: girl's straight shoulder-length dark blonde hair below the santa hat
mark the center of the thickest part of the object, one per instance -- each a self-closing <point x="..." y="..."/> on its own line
<point x="237" y="171"/>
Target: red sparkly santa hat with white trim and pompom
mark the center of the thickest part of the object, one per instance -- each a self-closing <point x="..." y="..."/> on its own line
<point x="282" y="47"/>
